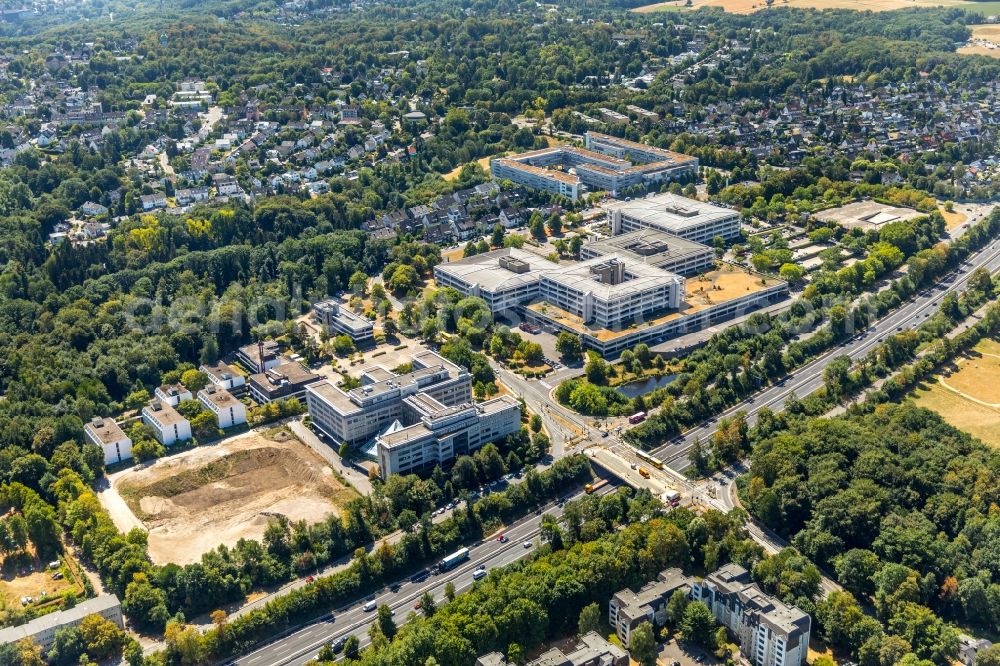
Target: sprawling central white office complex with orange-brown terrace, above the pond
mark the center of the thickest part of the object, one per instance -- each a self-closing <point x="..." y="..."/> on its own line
<point x="628" y="288"/>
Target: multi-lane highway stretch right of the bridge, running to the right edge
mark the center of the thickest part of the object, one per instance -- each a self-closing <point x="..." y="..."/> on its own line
<point x="806" y="379"/>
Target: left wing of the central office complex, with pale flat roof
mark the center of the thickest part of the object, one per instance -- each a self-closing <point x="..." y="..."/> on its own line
<point x="505" y="278"/>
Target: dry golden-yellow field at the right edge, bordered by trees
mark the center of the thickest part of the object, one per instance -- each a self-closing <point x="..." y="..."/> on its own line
<point x="968" y="396"/>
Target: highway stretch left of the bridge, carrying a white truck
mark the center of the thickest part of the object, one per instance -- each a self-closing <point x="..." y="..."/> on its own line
<point x="301" y="646"/>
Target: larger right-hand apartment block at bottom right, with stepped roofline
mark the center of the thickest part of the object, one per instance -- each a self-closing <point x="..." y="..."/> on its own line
<point x="770" y="632"/>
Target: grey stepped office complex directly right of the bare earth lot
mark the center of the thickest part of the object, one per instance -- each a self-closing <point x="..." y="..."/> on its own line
<point x="418" y="419"/>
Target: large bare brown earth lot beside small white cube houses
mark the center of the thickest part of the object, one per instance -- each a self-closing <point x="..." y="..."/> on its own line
<point x="194" y="501"/>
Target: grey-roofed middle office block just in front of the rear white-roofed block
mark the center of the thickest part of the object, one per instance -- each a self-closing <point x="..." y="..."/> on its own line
<point x="655" y="248"/>
